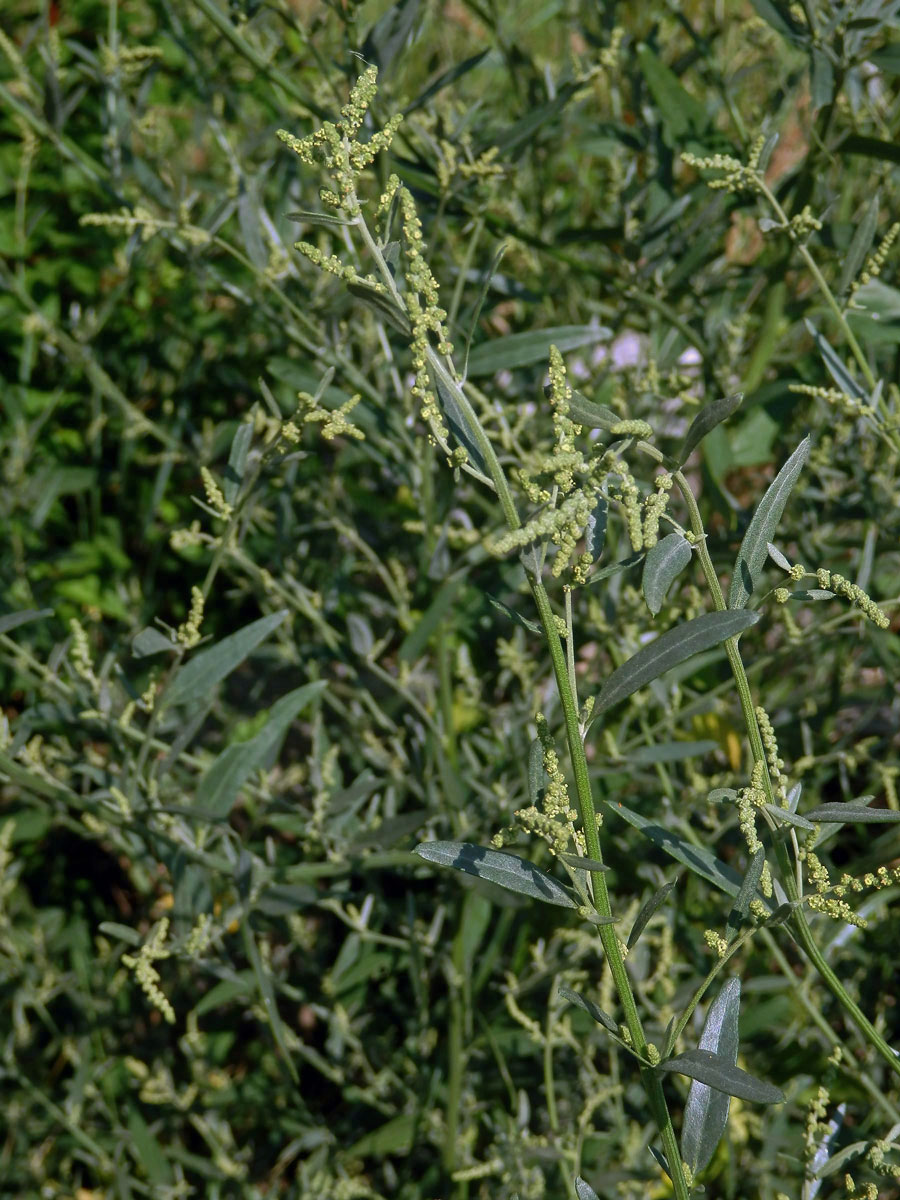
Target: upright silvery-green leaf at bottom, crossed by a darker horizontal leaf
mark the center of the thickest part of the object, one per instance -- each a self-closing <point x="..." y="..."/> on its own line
<point x="706" y="1113"/>
